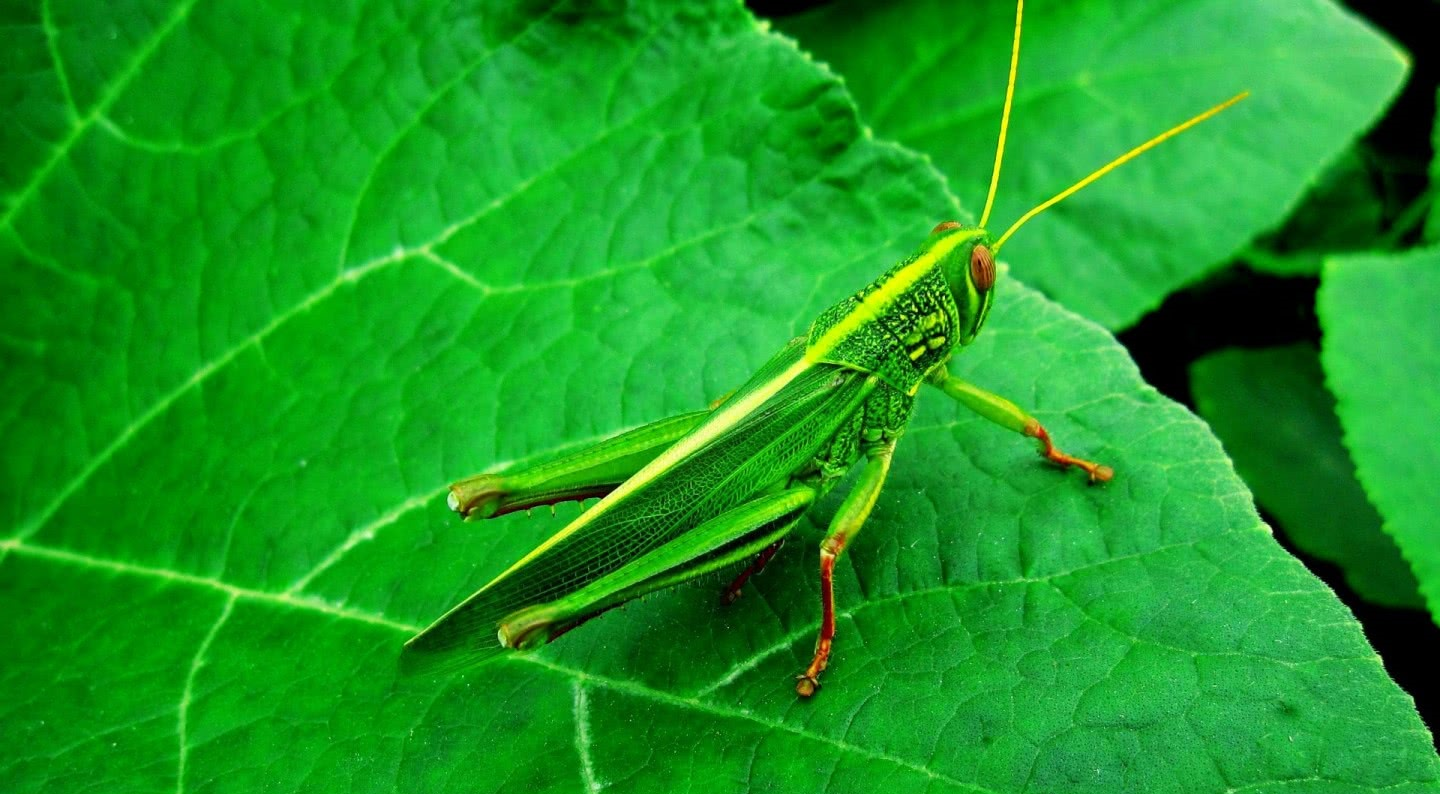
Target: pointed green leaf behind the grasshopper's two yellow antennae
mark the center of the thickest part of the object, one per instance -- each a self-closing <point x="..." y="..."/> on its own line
<point x="1098" y="77"/>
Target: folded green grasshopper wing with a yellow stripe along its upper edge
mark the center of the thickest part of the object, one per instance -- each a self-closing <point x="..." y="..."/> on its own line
<point x="771" y="429"/>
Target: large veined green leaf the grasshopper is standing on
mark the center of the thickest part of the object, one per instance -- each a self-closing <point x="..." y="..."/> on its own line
<point x="283" y="275"/>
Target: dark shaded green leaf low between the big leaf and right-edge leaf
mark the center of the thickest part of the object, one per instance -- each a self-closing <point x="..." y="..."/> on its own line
<point x="1278" y="423"/>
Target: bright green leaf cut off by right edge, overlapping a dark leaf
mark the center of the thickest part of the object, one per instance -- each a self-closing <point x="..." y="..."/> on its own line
<point x="1382" y="358"/>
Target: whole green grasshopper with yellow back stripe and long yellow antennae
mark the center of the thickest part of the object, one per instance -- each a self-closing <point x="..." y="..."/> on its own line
<point x="711" y="491"/>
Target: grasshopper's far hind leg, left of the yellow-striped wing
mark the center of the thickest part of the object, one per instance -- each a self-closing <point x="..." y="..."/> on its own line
<point x="585" y="473"/>
